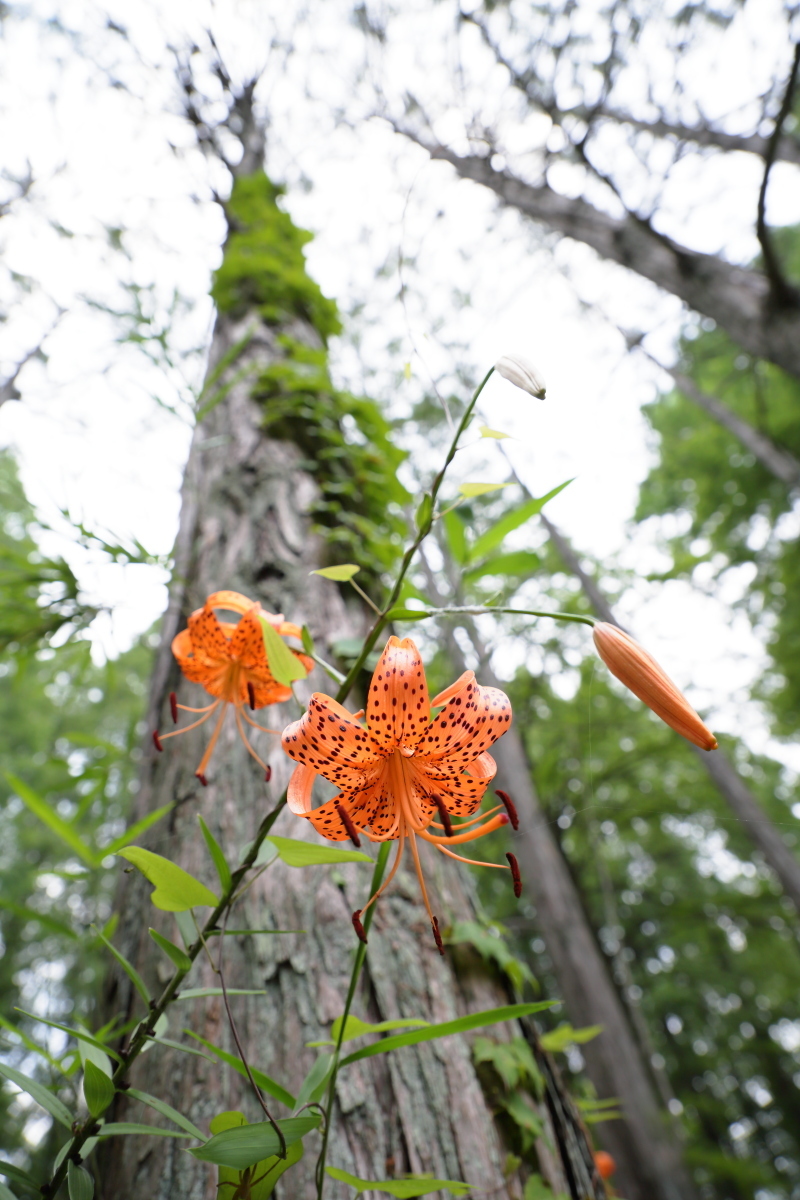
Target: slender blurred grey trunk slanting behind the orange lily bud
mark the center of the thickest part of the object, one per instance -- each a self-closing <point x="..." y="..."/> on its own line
<point x="726" y="779"/>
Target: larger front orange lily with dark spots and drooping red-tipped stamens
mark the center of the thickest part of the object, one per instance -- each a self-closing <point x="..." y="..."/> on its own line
<point x="404" y="769"/>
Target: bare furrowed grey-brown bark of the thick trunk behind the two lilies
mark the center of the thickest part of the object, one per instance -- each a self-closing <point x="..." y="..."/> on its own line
<point x="245" y="526"/>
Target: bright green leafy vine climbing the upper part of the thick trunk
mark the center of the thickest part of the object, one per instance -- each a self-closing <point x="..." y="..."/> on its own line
<point x="346" y="440"/>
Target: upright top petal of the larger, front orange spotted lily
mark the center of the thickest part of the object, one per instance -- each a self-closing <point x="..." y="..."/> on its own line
<point x="399" y="709"/>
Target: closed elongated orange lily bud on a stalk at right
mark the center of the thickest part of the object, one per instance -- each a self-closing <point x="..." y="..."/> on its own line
<point x="642" y="675"/>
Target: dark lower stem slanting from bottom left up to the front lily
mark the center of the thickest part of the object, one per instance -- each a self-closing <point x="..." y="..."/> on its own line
<point x="88" y="1127"/>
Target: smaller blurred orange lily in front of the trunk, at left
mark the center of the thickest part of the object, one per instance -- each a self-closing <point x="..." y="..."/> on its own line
<point x="230" y="661"/>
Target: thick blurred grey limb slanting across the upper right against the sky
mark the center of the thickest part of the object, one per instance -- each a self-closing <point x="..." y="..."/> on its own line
<point x="739" y="299"/>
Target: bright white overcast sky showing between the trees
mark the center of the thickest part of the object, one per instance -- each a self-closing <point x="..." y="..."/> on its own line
<point x="89" y="434"/>
